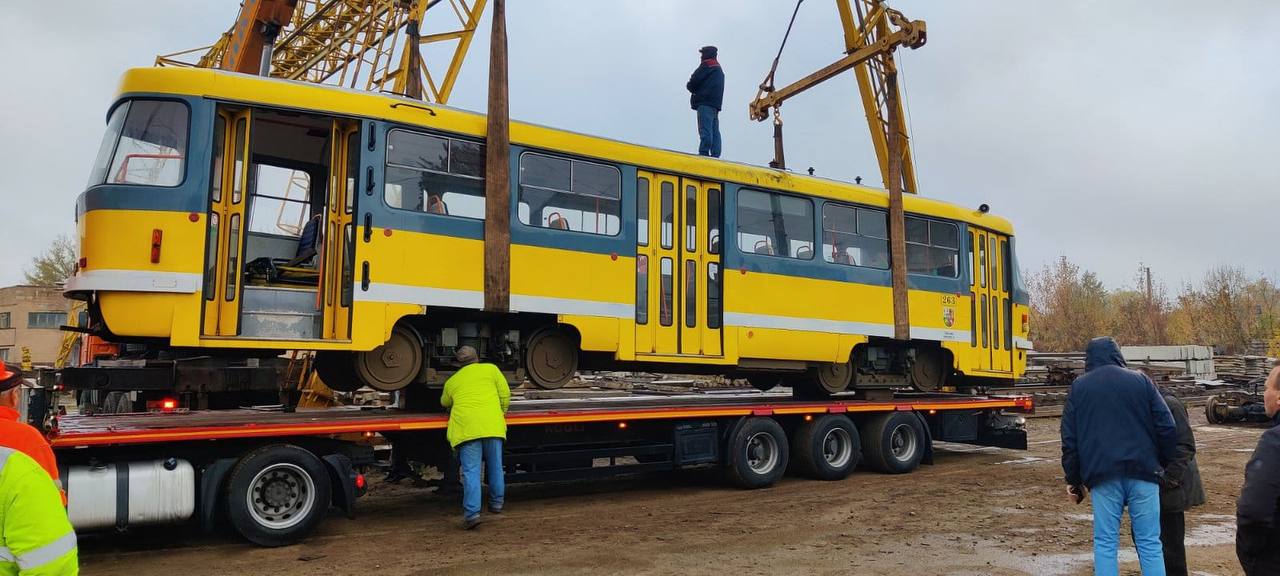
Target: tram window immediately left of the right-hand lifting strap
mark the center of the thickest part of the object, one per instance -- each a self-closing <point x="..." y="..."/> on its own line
<point x="851" y="237"/>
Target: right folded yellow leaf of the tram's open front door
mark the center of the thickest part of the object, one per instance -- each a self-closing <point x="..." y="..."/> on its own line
<point x="340" y="246"/>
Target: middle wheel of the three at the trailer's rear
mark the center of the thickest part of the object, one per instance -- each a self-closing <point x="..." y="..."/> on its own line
<point x="828" y="449"/>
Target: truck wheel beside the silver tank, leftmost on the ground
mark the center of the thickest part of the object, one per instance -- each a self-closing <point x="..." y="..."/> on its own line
<point x="278" y="495"/>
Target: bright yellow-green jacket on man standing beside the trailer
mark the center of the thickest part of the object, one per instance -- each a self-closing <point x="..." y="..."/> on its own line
<point x="478" y="397"/>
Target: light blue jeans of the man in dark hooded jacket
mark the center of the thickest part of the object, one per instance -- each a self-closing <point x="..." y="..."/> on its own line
<point x="1109" y="500"/>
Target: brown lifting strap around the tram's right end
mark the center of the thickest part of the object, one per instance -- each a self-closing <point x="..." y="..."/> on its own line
<point x="897" y="218"/>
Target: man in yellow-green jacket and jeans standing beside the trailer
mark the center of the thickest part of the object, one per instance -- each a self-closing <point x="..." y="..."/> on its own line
<point x="478" y="397"/>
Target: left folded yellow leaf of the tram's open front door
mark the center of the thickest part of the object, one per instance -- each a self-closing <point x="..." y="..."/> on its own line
<point x="227" y="223"/>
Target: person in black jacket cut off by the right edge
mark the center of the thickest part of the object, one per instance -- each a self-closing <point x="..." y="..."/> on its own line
<point x="1258" y="513"/>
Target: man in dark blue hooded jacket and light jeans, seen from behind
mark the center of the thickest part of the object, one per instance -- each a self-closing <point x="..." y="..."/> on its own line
<point x="1118" y="435"/>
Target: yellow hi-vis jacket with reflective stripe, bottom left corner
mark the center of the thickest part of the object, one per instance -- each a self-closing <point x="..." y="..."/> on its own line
<point x="36" y="540"/>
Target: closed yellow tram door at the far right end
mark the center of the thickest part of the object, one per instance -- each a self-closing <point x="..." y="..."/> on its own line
<point x="993" y="312"/>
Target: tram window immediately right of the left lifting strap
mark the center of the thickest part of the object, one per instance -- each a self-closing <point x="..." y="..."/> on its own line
<point x="570" y="195"/>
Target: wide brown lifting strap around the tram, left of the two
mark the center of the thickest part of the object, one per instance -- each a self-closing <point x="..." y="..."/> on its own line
<point x="497" y="190"/>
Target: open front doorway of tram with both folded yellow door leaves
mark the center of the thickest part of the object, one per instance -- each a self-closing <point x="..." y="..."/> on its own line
<point x="281" y="240"/>
